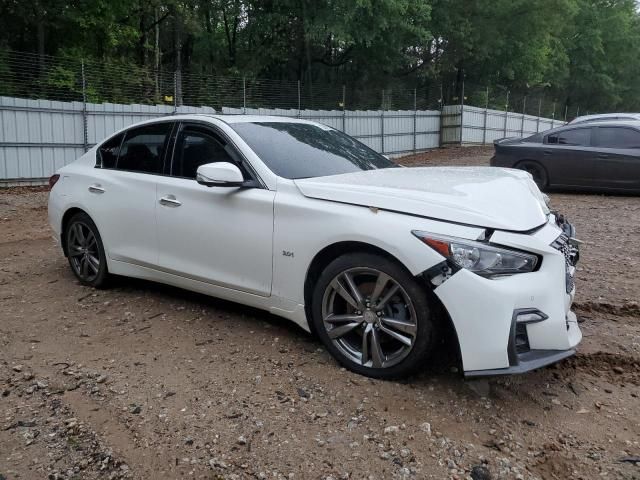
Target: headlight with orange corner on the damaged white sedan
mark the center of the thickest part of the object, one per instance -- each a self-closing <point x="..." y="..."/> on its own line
<point x="480" y="258"/>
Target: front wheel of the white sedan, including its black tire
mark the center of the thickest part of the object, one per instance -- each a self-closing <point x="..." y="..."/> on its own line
<point x="373" y="316"/>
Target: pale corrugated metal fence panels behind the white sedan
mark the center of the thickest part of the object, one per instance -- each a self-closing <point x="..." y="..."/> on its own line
<point x="39" y="136"/>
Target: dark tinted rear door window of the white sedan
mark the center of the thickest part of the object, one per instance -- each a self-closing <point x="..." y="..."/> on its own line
<point x="144" y="147"/>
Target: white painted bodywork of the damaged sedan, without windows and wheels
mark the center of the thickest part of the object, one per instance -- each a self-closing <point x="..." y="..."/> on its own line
<point x="255" y="245"/>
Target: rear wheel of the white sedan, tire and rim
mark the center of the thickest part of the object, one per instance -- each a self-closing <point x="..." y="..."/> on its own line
<point x="85" y="251"/>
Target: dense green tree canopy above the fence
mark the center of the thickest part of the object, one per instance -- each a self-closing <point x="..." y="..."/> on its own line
<point x="579" y="52"/>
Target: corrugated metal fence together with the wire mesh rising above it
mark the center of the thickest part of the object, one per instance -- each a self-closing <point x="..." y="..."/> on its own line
<point x="54" y="108"/>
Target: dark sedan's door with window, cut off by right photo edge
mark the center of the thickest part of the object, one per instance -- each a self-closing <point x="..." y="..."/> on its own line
<point x="619" y="157"/>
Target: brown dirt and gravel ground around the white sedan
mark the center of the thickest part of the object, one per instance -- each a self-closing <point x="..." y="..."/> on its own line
<point x="146" y="381"/>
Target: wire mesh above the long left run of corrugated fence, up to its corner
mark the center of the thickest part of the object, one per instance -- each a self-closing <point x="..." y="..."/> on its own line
<point x="31" y="76"/>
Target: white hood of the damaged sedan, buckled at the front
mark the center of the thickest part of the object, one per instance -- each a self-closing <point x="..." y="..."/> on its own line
<point x="490" y="197"/>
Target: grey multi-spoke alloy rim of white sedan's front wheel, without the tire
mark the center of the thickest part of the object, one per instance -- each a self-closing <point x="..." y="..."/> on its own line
<point x="369" y="317"/>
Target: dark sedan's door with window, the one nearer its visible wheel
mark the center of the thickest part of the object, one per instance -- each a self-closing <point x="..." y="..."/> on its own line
<point x="569" y="157"/>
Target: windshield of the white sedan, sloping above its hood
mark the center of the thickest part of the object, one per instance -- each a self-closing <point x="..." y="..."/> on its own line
<point x="301" y="150"/>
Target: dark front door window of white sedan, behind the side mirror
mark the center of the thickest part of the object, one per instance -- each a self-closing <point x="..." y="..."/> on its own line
<point x="197" y="146"/>
